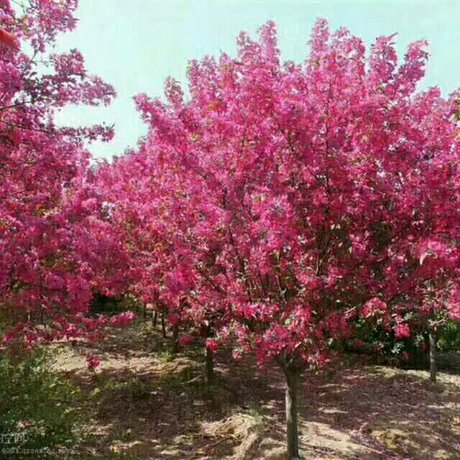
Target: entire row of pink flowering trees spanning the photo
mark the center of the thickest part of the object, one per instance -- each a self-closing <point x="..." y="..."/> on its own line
<point x="268" y="210"/>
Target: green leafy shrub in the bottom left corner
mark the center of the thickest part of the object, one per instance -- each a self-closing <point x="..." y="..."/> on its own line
<point x="38" y="409"/>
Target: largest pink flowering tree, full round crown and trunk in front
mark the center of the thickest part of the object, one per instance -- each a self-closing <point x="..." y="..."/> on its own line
<point x="297" y="197"/>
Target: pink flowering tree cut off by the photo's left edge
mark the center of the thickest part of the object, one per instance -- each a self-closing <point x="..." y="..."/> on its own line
<point x="56" y="245"/>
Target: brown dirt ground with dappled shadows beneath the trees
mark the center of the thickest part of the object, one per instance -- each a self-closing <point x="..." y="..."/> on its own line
<point x="146" y="403"/>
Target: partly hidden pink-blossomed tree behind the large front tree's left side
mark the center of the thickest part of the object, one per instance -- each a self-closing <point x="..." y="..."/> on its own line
<point x="150" y="206"/>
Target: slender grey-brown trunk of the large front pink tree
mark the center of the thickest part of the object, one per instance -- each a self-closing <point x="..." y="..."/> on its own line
<point x="292" y="383"/>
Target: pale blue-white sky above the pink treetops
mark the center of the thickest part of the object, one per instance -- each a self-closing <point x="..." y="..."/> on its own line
<point x="136" y="44"/>
